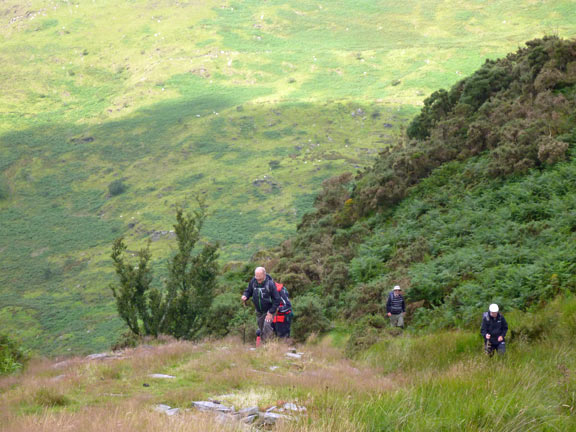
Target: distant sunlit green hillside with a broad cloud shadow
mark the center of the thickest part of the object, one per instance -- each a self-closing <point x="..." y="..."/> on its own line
<point x="251" y="104"/>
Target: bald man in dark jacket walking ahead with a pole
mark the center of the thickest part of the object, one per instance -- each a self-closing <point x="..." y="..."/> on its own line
<point x="265" y="298"/>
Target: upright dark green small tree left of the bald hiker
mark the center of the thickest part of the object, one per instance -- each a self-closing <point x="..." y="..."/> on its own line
<point x="181" y="307"/>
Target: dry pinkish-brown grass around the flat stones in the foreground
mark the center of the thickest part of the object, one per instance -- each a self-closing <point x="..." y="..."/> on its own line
<point x="69" y="395"/>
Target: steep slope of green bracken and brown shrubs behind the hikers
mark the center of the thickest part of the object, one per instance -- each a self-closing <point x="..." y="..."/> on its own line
<point x="476" y="205"/>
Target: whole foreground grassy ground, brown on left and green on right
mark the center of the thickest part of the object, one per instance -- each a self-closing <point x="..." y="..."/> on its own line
<point x="440" y="381"/>
